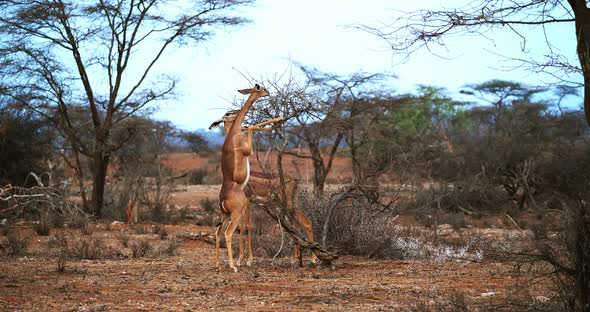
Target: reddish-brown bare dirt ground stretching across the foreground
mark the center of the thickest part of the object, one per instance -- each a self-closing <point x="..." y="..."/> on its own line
<point x="189" y="281"/>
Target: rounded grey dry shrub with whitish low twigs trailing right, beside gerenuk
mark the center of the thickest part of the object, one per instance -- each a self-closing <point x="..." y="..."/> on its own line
<point x="359" y="228"/>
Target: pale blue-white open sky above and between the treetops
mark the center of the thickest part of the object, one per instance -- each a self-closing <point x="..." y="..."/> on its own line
<point x="317" y="34"/>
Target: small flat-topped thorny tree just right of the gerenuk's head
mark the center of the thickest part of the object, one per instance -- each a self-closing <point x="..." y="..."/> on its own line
<point x="319" y="112"/>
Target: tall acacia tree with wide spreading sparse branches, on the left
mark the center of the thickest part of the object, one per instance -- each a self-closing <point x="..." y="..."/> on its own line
<point x="99" y="55"/>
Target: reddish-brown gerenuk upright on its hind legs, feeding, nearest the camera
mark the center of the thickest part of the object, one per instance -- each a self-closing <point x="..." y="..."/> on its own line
<point x="236" y="171"/>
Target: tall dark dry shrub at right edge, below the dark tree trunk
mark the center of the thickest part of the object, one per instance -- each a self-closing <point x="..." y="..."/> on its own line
<point x="563" y="246"/>
